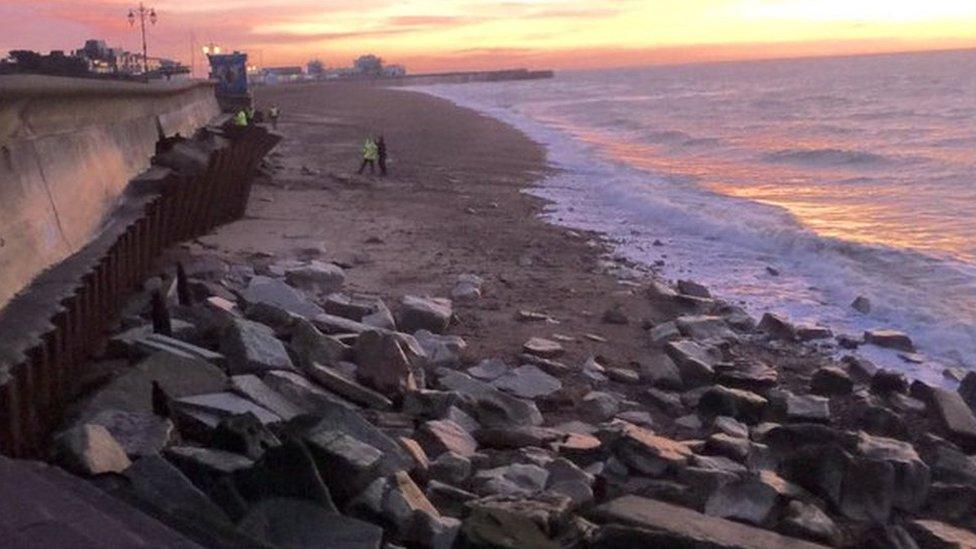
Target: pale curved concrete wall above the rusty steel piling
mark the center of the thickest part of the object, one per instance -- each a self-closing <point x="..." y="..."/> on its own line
<point x="68" y="148"/>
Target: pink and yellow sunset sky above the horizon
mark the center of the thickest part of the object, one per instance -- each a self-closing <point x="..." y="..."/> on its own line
<point x="472" y="34"/>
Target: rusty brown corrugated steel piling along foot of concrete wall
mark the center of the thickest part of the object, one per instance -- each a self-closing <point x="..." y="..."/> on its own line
<point x="49" y="330"/>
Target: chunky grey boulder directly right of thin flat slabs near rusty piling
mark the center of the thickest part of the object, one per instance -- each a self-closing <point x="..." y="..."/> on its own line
<point x="252" y="348"/>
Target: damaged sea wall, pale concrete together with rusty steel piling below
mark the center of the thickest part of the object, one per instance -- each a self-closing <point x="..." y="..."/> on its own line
<point x="83" y="213"/>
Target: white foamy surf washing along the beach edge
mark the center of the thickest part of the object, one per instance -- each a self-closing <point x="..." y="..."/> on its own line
<point x="800" y="295"/>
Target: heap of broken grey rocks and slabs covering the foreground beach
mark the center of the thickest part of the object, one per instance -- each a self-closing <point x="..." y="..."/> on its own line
<point x="289" y="414"/>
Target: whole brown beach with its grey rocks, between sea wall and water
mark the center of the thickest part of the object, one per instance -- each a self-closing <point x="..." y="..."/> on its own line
<point x="547" y="385"/>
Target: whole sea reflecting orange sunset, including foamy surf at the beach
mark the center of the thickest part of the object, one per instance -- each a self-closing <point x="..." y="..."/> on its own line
<point x="790" y="186"/>
